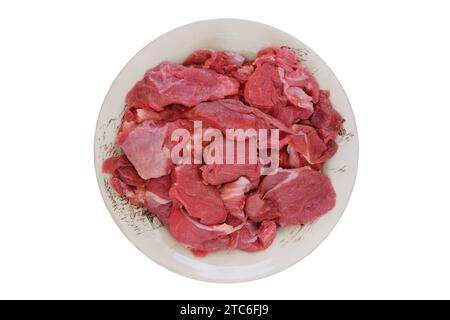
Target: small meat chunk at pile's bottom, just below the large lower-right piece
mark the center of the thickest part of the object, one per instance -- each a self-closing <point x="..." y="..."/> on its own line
<point x="256" y="236"/>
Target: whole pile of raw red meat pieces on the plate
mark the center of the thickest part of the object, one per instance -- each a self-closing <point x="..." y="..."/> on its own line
<point x="210" y="207"/>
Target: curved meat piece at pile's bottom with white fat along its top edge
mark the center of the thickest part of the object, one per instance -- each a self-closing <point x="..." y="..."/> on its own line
<point x="198" y="236"/>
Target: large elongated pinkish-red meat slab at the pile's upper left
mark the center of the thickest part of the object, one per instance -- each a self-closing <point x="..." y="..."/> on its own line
<point x="170" y="83"/>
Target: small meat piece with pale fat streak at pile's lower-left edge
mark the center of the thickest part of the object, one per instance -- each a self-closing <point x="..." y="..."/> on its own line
<point x="157" y="199"/>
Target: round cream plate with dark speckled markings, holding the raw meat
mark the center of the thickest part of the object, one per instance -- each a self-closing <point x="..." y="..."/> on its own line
<point x="291" y="243"/>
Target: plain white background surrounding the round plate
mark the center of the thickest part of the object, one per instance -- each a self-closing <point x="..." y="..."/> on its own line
<point x="58" y="59"/>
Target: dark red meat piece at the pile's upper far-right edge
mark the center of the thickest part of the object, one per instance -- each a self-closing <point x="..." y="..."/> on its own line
<point x="326" y="119"/>
